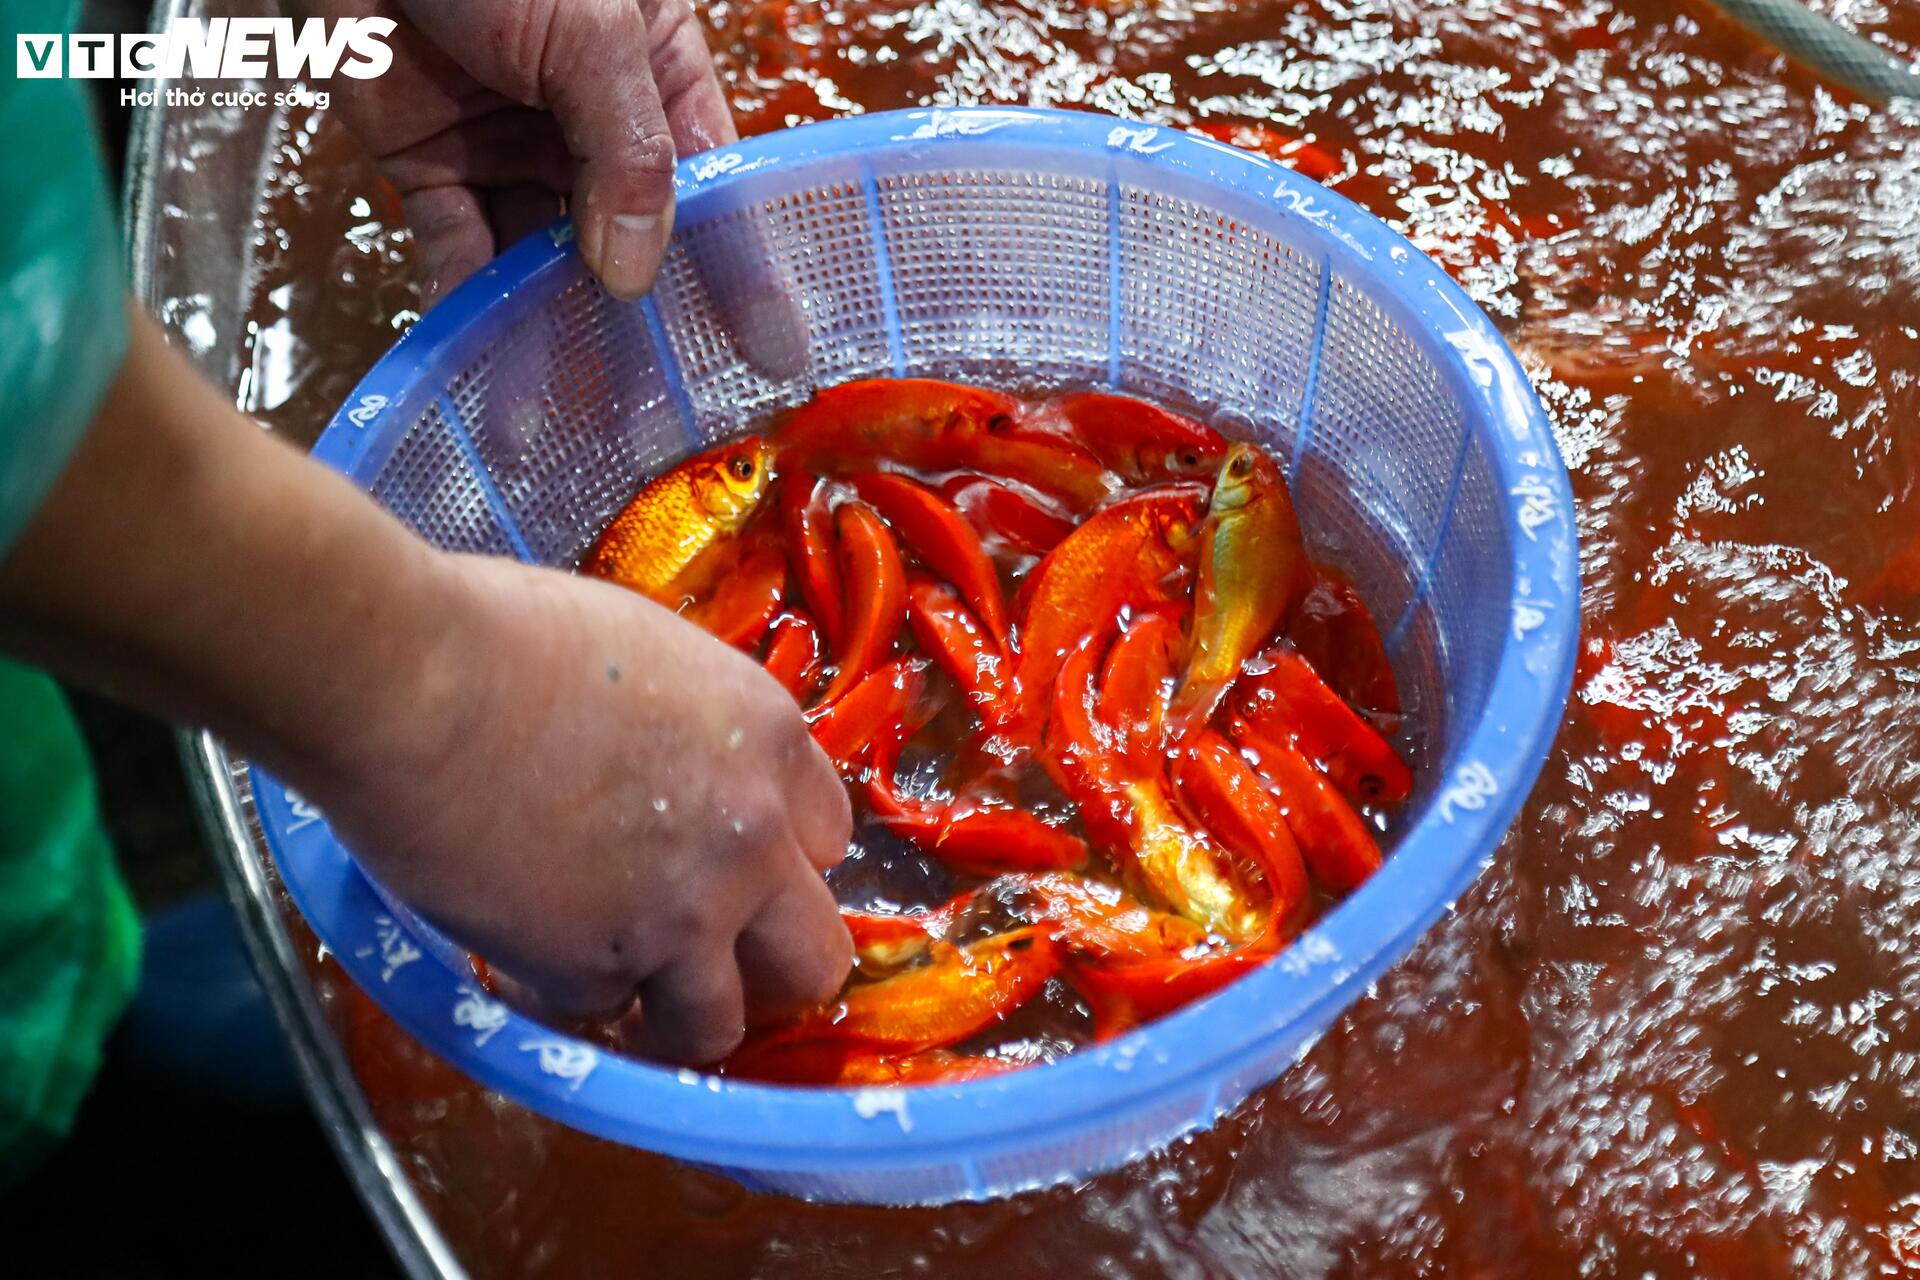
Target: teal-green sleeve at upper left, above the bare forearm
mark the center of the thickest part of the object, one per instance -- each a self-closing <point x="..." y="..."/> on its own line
<point x="62" y="321"/>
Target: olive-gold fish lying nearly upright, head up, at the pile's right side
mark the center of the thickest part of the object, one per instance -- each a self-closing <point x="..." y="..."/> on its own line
<point x="1253" y="575"/>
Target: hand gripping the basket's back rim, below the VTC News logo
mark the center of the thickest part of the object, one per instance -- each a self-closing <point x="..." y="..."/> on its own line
<point x="498" y="110"/>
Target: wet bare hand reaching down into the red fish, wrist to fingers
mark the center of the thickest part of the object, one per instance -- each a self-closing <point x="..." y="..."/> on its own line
<point x="602" y="801"/>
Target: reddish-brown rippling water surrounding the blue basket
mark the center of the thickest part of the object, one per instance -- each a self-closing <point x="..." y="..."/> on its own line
<point x="1675" y="1030"/>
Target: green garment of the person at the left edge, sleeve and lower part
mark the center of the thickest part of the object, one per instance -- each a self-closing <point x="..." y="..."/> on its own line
<point x="68" y="934"/>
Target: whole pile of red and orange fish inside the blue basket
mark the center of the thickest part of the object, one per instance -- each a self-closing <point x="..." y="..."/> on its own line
<point x="1122" y="602"/>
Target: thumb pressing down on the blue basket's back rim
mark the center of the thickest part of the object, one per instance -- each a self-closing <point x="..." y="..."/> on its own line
<point x="598" y="82"/>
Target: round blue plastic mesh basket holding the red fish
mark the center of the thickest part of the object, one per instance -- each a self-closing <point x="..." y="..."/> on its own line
<point x="1055" y="250"/>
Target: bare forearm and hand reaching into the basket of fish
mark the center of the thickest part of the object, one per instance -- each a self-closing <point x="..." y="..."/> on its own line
<point x="567" y="778"/>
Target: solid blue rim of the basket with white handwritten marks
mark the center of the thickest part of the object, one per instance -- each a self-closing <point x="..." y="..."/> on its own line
<point x="715" y="1122"/>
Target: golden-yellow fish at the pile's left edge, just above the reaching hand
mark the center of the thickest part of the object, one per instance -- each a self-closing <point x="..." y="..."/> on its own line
<point x="681" y="515"/>
